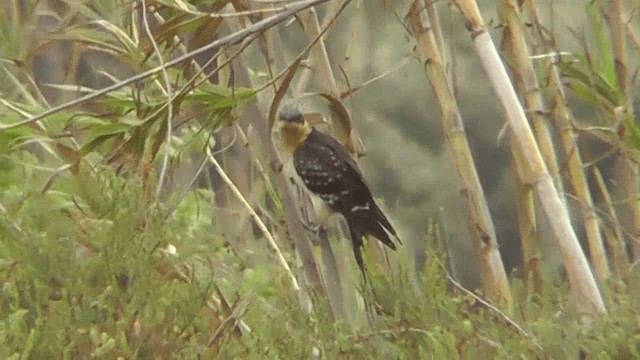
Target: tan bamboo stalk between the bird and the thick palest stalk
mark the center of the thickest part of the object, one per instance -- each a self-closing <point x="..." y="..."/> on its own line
<point x="492" y="273"/>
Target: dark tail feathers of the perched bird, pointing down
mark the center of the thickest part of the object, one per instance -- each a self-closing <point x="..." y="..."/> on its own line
<point x="369" y="220"/>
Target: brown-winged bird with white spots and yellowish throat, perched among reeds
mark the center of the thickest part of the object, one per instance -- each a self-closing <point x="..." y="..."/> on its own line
<point x="324" y="169"/>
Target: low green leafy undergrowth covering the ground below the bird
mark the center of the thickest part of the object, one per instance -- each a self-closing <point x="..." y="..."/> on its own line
<point x="84" y="273"/>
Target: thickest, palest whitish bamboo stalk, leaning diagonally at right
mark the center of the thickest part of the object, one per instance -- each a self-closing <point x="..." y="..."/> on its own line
<point x="580" y="277"/>
